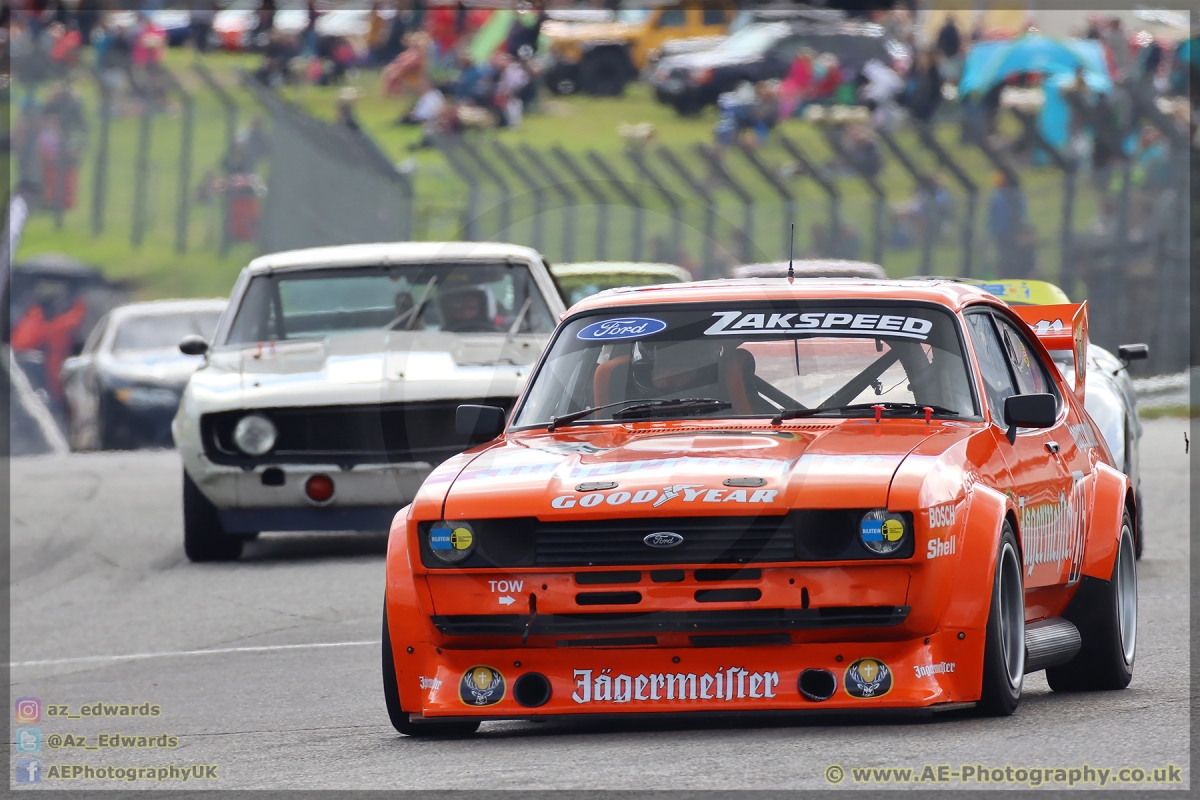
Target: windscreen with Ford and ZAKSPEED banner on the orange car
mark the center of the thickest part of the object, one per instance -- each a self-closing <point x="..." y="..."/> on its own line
<point x="754" y="360"/>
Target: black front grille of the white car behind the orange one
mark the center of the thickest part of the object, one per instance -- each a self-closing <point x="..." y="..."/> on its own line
<point x="349" y="435"/>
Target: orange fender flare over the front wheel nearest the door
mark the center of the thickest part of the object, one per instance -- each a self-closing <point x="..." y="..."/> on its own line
<point x="968" y="606"/>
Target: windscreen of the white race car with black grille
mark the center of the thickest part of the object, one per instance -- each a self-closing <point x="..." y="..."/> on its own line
<point x="459" y="298"/>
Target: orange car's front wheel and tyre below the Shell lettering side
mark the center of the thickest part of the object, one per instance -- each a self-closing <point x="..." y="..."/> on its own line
<point x="1004" y="658"/>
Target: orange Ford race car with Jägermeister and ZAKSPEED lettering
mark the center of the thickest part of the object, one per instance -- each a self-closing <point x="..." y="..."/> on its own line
<point x="747" y="496"/>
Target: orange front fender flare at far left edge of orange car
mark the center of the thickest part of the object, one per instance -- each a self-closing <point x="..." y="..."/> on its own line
<point x="404" y="609"/>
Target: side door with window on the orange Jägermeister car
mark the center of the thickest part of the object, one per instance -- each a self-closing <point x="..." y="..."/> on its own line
<point x="1039" y="460"/>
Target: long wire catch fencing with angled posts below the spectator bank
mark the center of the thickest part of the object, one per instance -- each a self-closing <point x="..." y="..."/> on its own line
<point x="920" y="206"/>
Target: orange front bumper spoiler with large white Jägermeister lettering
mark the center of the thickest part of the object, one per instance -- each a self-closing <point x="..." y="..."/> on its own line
<point x="929" y="672"/>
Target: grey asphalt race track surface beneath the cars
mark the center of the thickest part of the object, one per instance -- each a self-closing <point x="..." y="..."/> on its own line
<point x="99" y="572"/>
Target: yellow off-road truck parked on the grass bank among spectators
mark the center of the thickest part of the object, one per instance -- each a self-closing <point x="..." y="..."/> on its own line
<point x="601" y="52"/>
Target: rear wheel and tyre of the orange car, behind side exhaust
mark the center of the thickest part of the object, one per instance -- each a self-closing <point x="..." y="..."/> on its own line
<point x="1108" y="625"/>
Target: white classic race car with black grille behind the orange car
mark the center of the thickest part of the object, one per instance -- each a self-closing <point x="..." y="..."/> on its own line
<point x="332" y="387"/>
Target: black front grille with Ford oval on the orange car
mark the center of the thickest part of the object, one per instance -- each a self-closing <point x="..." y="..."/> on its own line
<point x="797" y="537"/>
